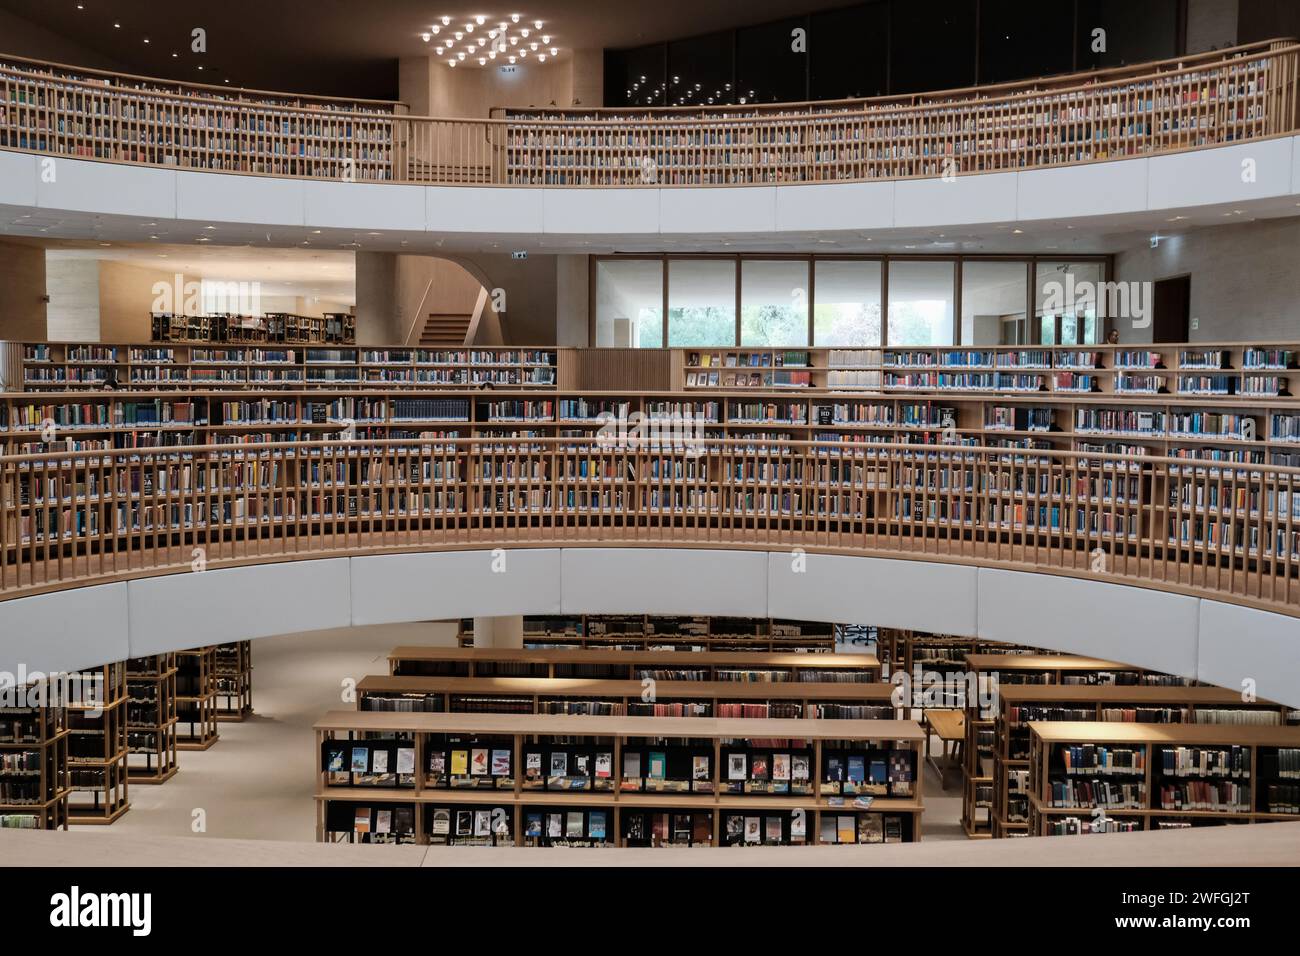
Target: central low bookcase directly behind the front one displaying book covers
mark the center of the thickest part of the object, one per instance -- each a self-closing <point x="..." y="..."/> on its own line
<point x="627" y="698"/>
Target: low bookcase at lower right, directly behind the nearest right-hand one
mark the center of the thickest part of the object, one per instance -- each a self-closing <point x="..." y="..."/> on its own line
<point x="1020" y="706"/>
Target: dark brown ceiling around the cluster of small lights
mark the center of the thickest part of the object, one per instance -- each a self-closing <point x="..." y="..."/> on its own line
<point x="337" y="47"/>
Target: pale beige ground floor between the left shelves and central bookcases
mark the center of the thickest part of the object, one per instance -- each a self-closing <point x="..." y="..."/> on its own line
<point x="257" y="782"/>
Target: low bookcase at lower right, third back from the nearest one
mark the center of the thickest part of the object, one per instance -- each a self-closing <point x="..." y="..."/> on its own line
<point x="986" y="674"/>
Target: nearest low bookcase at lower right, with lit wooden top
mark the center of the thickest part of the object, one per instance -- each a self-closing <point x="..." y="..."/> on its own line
<point x="1090" y="777"/>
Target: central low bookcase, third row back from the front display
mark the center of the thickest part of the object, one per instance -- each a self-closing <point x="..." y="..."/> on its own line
<point x="634" y="665"/>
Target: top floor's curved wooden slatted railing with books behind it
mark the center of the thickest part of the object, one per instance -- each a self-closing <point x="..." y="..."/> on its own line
<point x="1214" y="100"/>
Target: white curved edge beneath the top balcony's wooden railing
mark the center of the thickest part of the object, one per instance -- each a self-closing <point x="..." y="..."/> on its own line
<point x="1203" y="179"/>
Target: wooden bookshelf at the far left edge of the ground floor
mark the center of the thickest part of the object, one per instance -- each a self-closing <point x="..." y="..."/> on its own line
<point x="34" y="785"/>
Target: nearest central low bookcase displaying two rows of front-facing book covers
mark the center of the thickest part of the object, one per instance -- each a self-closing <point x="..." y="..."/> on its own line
<point x="510" y="773"/>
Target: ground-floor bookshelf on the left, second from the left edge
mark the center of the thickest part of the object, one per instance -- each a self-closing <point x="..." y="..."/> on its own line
<point x="98" y="746"/>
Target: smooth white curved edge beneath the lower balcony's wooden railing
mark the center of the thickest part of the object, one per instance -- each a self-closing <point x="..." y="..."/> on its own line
<point x="1215" y="642"/>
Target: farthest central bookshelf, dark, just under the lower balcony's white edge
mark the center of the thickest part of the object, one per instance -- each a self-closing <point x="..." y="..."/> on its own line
<point x="649" y="631"/>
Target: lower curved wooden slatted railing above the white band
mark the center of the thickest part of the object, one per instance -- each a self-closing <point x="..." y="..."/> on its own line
<point x="1230" y="533"/>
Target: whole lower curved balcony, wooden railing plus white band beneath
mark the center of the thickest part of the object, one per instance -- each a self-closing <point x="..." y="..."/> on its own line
<point x="1186" y="568"/>
